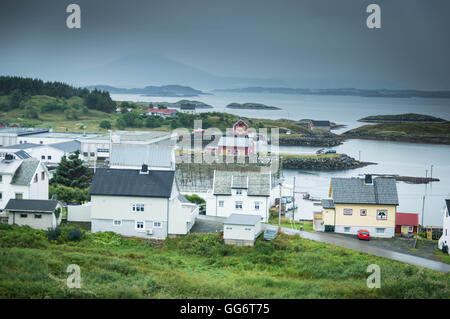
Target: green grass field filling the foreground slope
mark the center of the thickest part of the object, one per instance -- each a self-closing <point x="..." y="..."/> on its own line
<point x="199" y="266"/>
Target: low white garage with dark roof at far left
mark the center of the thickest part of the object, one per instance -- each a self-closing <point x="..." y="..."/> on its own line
<point x="36" y="213"/>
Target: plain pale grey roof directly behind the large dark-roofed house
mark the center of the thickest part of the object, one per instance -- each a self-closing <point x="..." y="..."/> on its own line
<point x="136" y="155"/>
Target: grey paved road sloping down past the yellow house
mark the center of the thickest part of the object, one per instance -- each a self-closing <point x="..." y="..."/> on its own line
<point x="367" y="248"/>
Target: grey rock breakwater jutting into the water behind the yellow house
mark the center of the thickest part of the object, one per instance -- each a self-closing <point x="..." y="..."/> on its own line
<point x="339" y="162"/>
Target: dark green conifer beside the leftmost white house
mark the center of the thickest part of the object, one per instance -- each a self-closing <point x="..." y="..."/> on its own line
<point x="72" y="172"/>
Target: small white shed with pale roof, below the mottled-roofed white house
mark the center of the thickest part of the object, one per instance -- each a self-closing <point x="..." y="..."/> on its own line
<point x="241" y="229"/>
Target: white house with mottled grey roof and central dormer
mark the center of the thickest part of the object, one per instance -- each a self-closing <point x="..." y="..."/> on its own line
<point x="240" y="193"/>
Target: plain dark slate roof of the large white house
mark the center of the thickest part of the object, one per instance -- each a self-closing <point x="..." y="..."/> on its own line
<point x="128" y="182"/>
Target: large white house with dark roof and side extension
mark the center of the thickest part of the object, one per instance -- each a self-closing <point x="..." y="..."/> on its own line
<point x="139" y="202"/>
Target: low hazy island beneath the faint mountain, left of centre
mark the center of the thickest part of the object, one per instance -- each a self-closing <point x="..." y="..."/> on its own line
<point x="164" y="90"/>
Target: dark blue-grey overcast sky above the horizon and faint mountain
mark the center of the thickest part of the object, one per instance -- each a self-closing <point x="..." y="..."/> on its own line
<point x="319" y="42"/>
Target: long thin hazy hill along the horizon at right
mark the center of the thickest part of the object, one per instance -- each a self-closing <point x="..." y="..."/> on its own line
<point x="343" y="91"/>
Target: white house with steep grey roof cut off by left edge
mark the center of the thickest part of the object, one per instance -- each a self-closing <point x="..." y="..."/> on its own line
<point x="22" y="179"/>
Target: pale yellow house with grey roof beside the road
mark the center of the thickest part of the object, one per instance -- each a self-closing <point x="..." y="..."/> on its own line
<point x="361" y="203"/>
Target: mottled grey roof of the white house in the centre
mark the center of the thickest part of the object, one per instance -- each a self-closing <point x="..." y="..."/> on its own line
<point x="258" y="183"/>
